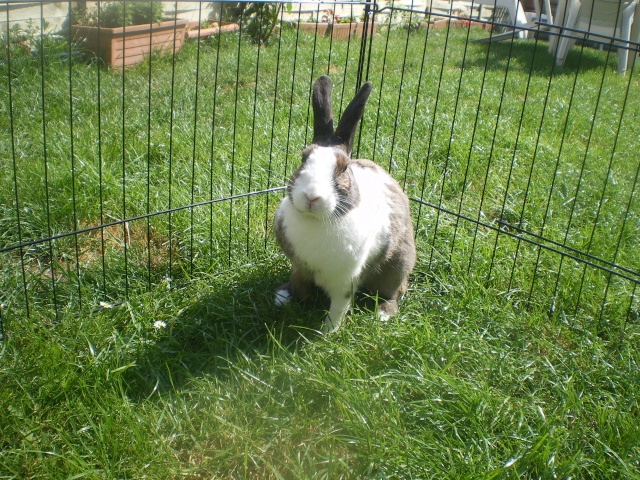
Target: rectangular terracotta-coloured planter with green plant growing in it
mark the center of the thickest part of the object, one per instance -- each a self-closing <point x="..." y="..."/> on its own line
<point x="124" y="33"/>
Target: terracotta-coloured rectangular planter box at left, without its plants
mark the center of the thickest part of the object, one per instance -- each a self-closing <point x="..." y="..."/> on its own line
<point x="130" y="45"/>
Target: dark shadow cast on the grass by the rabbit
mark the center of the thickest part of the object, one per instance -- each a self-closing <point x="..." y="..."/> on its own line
<point x="233" y="317"/>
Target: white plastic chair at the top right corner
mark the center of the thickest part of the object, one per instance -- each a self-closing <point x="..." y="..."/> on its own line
<point x="605" y="17"/>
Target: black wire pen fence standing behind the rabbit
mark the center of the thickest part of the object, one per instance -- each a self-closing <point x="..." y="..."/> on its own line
<point x="118" y="179"/>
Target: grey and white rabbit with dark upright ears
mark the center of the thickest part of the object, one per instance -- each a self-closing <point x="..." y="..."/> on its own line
<point x="344" y="224"/>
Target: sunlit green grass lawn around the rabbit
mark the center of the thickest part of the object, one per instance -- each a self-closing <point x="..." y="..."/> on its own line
<point x="475" y="378"/>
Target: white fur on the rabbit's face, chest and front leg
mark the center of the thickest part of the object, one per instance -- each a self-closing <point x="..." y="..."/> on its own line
<point x="336" y="249"/>
